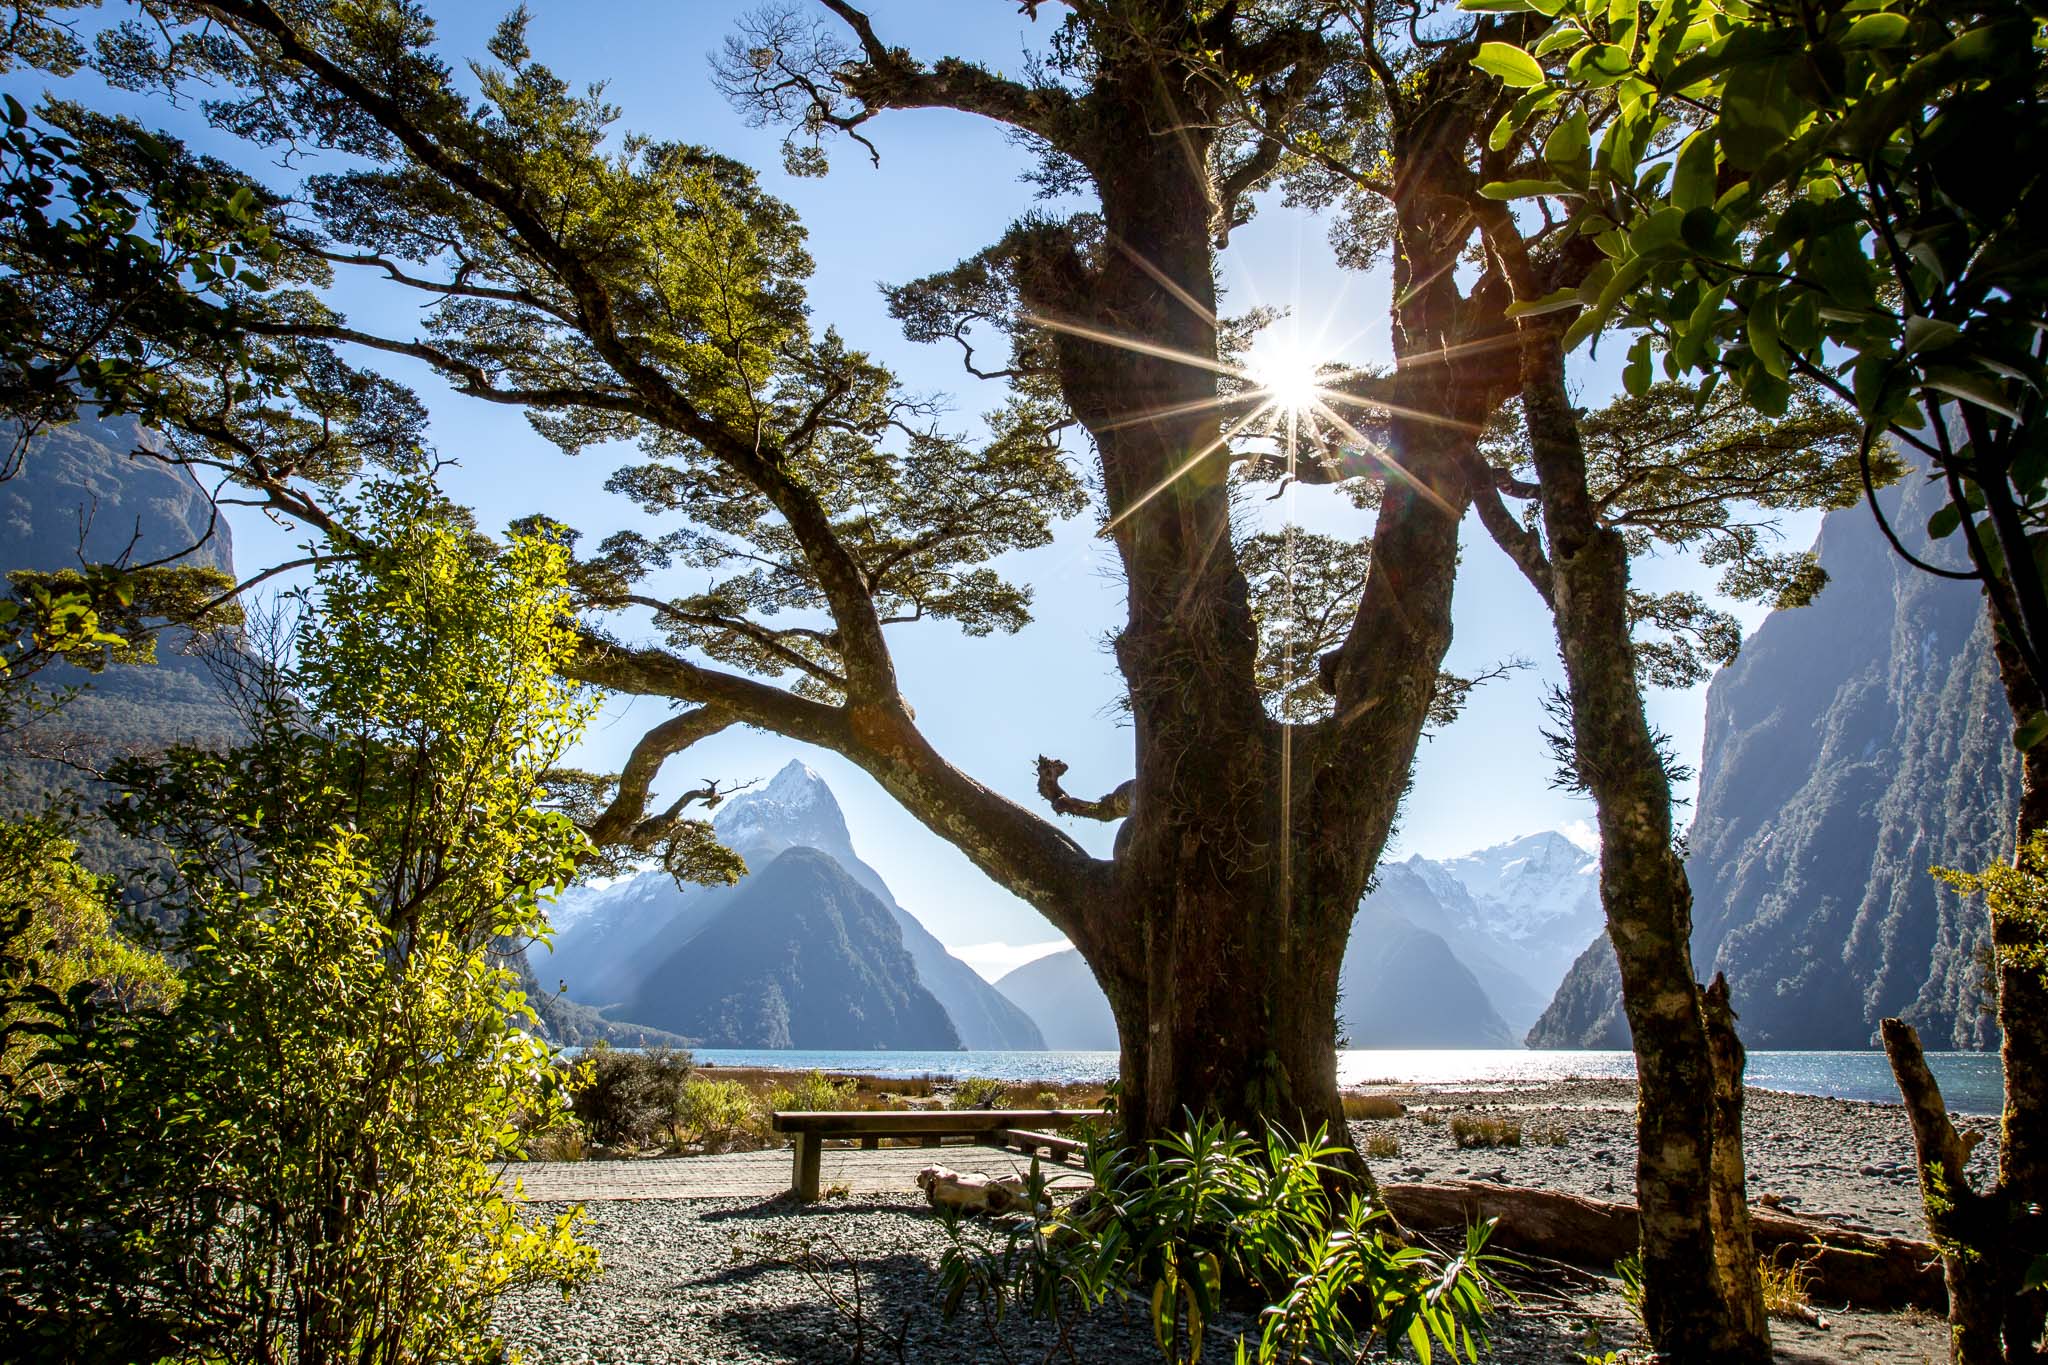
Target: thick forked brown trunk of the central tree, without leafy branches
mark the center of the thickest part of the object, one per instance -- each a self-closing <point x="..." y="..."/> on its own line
<point x="1248" y="842"/>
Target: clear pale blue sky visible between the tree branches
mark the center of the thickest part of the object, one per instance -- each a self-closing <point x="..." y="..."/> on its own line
<point x="947" y="187"/>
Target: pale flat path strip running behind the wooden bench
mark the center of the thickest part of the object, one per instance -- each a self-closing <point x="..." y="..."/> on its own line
<point x="888" y="1172"/>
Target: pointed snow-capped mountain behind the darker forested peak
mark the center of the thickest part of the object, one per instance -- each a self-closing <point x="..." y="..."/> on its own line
<point x="607" y="940"/>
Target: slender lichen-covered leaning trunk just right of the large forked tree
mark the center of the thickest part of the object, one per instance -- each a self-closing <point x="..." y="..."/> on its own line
<point x="1697" y="1301"/>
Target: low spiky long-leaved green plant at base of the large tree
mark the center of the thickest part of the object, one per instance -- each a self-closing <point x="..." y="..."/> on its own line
<point x="1209" y="1219"/>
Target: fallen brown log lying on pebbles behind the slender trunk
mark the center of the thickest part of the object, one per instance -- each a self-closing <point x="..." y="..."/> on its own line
<point x="1842" y="1266"/>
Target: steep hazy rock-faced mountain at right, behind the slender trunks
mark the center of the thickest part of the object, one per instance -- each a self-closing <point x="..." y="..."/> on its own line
<point x="1850" y="746"/>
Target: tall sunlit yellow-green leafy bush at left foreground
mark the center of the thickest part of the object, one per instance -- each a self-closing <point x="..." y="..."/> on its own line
<point x="298" y="1159"/>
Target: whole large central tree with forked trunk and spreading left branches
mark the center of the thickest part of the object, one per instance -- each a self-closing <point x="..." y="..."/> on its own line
<point x="636" y="290"/>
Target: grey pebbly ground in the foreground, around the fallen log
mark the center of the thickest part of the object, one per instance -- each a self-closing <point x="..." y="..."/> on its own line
<point x="767" y="1282"/>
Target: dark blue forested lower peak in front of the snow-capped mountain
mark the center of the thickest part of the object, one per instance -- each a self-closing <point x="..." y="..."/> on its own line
<point x="802" y="957"/>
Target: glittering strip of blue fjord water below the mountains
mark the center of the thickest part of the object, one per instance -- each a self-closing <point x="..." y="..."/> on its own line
<point x="1969" y="1080"/>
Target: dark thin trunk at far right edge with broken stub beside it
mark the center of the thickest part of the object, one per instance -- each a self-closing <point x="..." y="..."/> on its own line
<point x="1992" y="1237"/>
